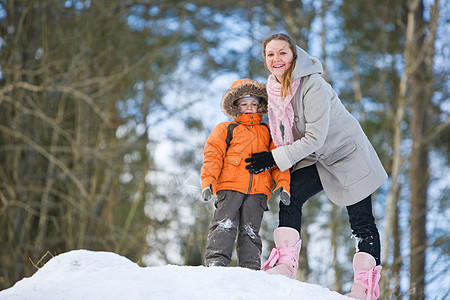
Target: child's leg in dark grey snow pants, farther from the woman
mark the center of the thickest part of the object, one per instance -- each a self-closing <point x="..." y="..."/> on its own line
<point x="223" y="228"/>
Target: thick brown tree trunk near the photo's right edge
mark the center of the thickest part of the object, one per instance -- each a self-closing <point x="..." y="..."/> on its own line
<point x="421" y="93"/>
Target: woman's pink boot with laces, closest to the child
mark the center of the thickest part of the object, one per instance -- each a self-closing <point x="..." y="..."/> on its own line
<point x="283" y="260"/>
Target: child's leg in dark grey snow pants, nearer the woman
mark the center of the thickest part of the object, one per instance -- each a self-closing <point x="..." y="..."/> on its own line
<point x="249" y="243"/>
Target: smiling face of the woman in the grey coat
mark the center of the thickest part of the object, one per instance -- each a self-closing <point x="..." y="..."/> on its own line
<point x="278" y="57"/>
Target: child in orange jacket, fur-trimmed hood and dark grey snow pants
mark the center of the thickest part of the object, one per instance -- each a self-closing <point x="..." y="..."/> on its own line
<point x="240" y="197"/>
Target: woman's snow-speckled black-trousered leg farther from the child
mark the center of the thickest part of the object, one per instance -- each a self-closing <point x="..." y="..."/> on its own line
<point x="364" y="229"/>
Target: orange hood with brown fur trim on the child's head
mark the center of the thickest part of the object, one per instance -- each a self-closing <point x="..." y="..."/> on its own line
<point x="240" y="89"/>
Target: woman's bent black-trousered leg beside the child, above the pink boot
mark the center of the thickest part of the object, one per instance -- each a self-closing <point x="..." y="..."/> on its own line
<point x="305" y="183"/>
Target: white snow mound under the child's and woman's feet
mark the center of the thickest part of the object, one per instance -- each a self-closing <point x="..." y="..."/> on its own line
<point x="85" y="275"/>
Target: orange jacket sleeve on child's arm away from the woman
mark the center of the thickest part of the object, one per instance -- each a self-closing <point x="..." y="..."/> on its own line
<point x="214" y="154"/>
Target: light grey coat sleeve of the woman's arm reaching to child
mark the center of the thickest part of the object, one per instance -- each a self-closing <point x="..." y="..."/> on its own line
<point x="317" y="115"/>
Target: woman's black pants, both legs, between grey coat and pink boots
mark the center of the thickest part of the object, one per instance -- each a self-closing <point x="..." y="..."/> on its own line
<point x="305" y="183"/>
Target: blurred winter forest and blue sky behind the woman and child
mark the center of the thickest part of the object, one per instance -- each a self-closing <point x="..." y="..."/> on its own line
<point x="105" y="106"/>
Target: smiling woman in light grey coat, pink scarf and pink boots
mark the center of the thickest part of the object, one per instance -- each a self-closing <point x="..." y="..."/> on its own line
<point x="326" y="149"/>
